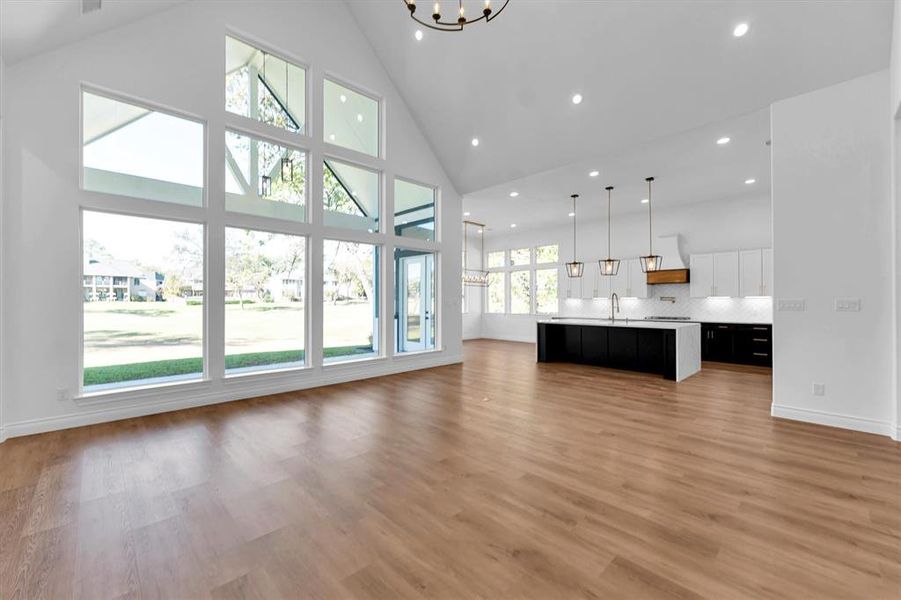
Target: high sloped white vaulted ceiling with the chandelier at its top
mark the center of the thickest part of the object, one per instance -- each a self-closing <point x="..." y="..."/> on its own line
<point x="645" y="68"/>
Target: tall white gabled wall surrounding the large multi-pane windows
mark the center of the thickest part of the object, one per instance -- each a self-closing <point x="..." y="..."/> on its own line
<point x="173" y="59"/>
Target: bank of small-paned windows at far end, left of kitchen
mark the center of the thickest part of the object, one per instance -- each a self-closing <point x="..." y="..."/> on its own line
<point x="523" y="281"/>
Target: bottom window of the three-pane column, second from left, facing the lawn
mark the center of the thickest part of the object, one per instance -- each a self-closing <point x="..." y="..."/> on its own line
<point x="265" y="300"/>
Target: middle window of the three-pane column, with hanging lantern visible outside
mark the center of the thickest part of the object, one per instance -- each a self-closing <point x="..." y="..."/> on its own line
<point x="262" y="178"/>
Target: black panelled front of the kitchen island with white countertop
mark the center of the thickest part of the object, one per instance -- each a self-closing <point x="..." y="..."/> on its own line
<point x="647" y="350"/>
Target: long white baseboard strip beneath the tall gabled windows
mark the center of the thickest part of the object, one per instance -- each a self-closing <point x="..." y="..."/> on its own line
<point x="116" y="409"/>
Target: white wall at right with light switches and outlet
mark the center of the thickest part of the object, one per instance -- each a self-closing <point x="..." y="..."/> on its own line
<point x="832" y="238"/>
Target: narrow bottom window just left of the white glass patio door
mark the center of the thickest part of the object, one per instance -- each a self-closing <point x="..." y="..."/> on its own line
<point x="350" y="300"/>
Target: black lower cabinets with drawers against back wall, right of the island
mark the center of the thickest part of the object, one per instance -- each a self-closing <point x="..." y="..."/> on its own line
<point x="739" y="344"/>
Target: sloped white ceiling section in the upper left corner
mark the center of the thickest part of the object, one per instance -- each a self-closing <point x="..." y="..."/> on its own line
<point x="28" y="27"/>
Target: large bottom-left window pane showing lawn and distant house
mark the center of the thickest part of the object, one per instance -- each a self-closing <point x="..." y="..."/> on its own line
<point x="143" y="300"/>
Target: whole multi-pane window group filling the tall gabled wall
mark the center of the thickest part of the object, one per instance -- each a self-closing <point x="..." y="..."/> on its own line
<point x="148" y="315"/>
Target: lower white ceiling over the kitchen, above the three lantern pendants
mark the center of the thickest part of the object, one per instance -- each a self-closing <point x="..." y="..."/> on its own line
<point x="687" y="167"/>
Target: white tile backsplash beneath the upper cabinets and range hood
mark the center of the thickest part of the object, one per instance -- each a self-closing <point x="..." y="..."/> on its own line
<point x="713" y="310"/>
